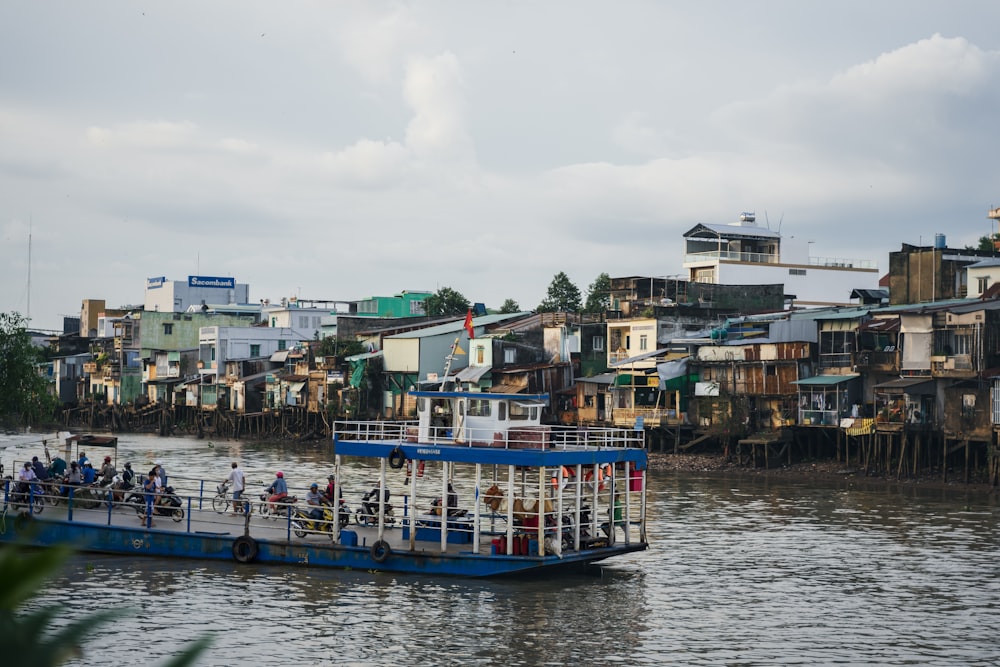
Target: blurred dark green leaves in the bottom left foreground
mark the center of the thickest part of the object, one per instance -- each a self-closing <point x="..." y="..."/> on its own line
<point x="28" y="637"/>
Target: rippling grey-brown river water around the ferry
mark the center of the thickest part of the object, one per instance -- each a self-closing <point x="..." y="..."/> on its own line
<point x="741" y="571"/>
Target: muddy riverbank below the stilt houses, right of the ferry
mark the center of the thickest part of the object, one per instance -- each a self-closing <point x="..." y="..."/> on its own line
<point x="828" y="471"/>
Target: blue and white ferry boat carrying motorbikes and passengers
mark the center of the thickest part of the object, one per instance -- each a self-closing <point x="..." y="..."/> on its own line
<point x="479" y="487"/>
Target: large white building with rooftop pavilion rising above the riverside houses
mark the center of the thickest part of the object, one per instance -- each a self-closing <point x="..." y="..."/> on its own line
<point x="742" y="253"/>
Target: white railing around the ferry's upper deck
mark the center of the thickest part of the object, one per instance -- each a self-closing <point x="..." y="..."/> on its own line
<point x="547" y="436"/>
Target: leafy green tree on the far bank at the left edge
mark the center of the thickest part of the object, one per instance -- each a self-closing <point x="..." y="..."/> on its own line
<point x="24" y="395"/>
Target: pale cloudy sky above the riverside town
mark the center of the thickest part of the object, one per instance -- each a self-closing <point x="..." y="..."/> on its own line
<point x="341" y="150"/>
